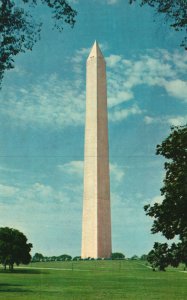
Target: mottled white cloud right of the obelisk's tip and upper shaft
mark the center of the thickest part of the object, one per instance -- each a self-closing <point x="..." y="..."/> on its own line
<point x="159" y="68"/>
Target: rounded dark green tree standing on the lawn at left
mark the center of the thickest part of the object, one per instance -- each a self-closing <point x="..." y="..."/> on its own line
<point x="14" y="248"/>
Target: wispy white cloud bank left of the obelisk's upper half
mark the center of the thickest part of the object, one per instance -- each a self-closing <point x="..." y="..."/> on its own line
<point x="50" y="102"/>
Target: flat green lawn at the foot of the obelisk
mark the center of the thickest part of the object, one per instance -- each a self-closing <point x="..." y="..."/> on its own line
<point x="92" y="280"/>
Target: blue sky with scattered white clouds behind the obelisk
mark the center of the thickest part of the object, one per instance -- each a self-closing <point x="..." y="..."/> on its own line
<point x="42" y="111"/>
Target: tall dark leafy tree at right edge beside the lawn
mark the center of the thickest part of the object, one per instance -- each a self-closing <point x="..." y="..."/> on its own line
<point x="170" y="216"/>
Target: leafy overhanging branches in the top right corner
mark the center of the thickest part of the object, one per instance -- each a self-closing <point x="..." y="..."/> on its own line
<point x="175" y="11"/>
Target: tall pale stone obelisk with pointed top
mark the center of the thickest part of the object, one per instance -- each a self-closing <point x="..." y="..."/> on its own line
<point x="96" y="225"/>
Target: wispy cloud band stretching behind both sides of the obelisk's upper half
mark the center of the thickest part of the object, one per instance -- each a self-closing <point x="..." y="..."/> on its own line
<point x="58" y="103"/>
